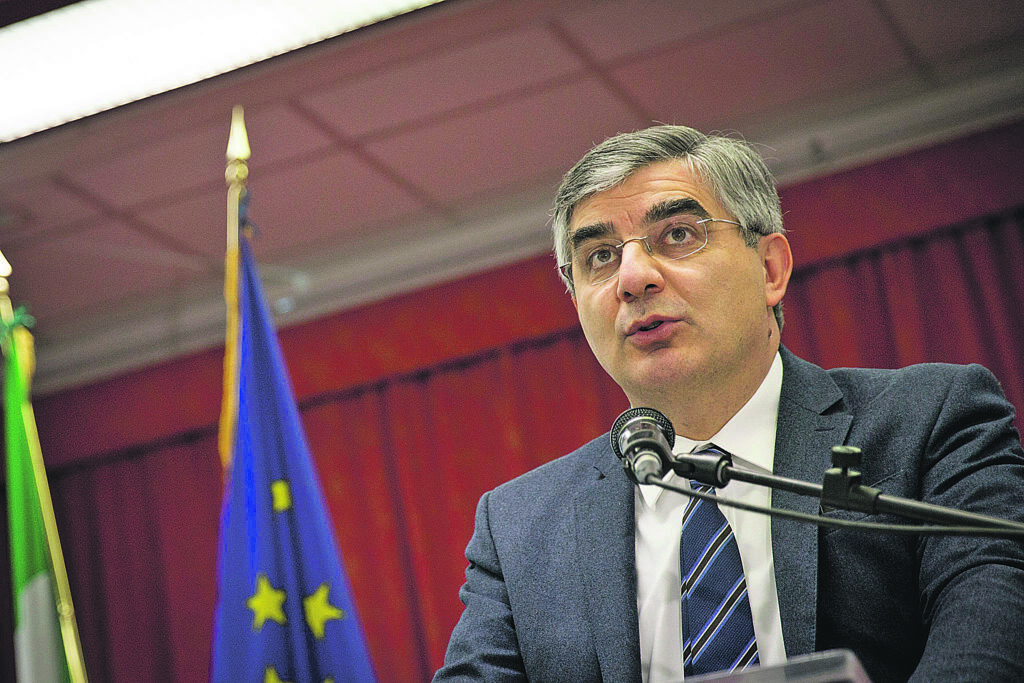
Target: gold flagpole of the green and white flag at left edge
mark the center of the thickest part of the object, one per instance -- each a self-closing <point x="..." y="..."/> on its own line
<point x="65" y="607"/>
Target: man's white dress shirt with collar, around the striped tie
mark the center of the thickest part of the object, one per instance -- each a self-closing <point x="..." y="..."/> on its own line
<point x="750" y="437"/>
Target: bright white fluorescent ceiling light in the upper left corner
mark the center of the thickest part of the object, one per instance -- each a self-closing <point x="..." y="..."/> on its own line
<point x="99" y="55"/>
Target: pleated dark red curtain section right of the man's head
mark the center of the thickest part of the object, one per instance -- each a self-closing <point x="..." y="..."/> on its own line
<point x="956" y="295"/>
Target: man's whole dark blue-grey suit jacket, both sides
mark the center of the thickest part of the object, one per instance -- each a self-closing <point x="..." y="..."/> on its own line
<point x="550" y="590"/>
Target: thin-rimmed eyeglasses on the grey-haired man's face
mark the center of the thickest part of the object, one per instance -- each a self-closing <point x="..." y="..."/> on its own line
<point x="598" y="262"/>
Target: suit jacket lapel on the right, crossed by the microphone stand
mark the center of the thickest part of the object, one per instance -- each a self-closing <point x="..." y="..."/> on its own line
<point x="803" y="444"/>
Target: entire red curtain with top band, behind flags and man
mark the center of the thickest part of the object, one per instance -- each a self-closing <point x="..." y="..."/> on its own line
<point x="415" y="407"/>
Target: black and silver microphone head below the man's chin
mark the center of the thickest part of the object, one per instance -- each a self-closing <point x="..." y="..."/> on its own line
<point x="643" y="439"/>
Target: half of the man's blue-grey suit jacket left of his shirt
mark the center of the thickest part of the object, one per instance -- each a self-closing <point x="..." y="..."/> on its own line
<point x="550" y="590"/>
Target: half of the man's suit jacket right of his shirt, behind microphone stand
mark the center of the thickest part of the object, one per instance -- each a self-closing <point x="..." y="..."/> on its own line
<point x="935" y="433"/>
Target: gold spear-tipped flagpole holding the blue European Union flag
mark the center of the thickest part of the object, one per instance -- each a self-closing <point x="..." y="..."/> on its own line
<point x="236" y="175"/>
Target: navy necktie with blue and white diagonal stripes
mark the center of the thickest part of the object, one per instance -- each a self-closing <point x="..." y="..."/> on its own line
<point x="718" y="630"/>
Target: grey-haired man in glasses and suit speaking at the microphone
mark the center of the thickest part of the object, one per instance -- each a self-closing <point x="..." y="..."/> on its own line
<point x="672" y="246"/>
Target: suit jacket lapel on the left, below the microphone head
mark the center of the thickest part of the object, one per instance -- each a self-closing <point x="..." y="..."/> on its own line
<point x="605" y="531"/>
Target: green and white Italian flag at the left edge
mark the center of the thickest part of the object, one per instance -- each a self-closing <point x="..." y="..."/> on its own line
<point x="39" y="656"/>
